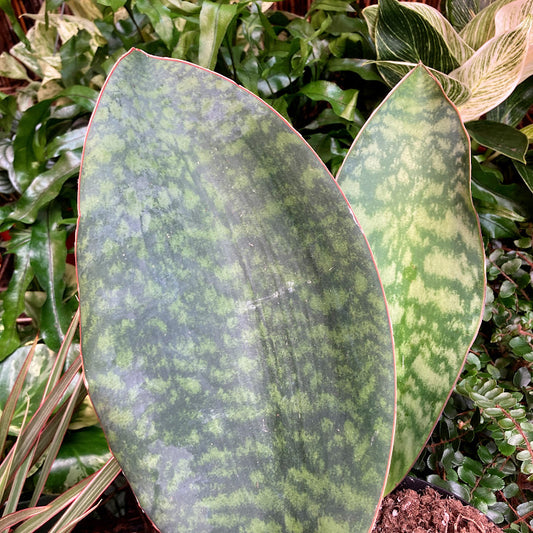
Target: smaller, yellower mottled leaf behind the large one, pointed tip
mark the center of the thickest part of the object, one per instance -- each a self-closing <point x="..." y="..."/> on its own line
<point x="407" y="177"/>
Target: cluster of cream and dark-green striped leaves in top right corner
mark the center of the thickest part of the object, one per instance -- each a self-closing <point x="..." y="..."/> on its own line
<point x="478" y="67"/>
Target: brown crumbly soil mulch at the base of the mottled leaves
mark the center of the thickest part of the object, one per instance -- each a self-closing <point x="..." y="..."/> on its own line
<point x="407" y="511"/>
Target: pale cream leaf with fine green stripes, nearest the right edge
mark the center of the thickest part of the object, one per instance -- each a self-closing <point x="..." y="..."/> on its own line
<point x="494" y="71"/>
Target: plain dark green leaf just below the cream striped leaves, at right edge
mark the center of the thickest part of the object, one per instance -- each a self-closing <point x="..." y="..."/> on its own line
<point x="500" y="138"/>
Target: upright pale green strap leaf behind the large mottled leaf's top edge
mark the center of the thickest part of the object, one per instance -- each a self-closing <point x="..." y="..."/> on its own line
<point x="215" y="19"/>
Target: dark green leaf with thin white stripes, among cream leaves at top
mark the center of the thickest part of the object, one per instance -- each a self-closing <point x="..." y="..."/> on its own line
<point x="402" y="34"/>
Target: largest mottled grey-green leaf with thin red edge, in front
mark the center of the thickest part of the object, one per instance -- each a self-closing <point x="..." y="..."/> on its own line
<point x="235" y="337"/>
